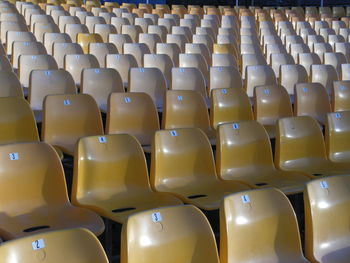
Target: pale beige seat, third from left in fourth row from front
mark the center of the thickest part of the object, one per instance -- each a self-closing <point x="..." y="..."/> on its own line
<point x="100" y="83"/>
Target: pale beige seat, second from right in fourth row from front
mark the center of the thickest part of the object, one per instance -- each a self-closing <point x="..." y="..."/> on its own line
<point x="324" y="74"/>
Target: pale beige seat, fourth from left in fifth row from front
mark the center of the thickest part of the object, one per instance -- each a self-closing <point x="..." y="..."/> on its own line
<point x="122" y="63"/>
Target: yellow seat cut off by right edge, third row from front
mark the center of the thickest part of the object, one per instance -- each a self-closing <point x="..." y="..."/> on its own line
<point x="341" y="96"/>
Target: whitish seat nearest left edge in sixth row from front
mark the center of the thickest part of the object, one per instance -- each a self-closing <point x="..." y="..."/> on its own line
<point x="26" y="48"/>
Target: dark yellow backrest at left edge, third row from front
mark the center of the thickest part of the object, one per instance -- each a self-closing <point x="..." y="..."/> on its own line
<point x="17" y="121"/>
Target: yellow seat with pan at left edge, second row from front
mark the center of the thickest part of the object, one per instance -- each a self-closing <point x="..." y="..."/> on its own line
<point x="37" y="200"/>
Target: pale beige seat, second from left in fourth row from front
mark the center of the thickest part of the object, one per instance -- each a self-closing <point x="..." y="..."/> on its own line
<point x="45" y="82"/>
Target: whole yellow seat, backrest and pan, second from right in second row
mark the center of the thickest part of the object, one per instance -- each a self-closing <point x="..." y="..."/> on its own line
<point x="300" y="147"/>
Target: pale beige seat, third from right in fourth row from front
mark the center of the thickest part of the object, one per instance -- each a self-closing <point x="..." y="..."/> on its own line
<point x="291" y="75"/>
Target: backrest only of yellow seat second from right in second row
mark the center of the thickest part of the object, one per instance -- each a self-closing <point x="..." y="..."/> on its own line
<point x="297" y="139"/>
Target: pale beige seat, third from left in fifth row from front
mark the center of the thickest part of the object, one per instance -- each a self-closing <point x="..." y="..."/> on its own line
<point x="75" y="63"/>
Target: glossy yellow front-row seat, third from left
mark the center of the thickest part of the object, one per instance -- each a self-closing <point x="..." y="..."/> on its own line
<point x="259" y="226"/>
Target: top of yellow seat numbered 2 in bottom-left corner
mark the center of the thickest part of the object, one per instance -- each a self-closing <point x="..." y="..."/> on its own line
<point x="78" y="243"/>
